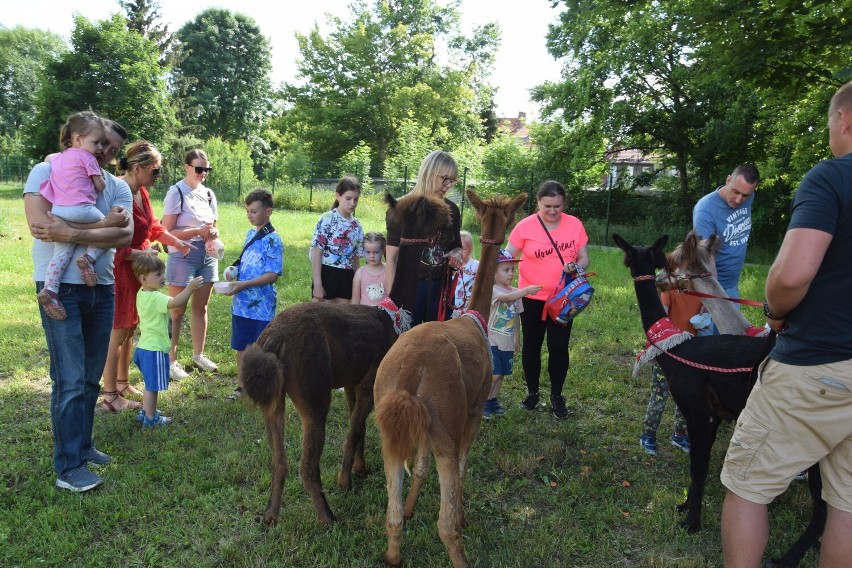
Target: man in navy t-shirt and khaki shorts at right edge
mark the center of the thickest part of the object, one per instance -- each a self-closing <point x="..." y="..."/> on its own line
<point x="800" y="411"/>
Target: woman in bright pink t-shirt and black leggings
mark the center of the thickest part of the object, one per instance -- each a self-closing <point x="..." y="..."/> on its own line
<point x="542" y="266"/>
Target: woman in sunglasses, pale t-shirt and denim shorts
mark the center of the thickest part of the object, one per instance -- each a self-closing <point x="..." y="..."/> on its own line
<point x="190" y="212"/>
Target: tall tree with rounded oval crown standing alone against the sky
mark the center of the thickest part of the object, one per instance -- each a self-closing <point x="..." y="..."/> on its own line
<point x="223" y="75"/>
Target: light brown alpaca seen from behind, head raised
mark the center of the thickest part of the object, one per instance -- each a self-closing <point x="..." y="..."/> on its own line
<point x="430" y="390"/>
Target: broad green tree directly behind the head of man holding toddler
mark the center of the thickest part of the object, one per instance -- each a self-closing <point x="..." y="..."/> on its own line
<point x="110" y="70"/>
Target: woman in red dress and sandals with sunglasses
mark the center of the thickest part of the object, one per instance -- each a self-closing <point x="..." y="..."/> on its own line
<point x="141" y="168"/>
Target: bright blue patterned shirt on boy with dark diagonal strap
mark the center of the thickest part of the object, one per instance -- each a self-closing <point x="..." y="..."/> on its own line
<point x="264" y="255"/>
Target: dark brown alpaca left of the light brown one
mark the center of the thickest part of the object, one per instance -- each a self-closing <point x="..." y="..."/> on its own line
<point x="312" y="348"/>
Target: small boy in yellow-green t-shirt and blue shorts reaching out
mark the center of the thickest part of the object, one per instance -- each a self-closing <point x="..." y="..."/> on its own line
<point x="155" y="324"/>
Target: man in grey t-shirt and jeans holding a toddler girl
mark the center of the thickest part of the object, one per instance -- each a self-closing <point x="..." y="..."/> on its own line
<point x="78" y="344"/>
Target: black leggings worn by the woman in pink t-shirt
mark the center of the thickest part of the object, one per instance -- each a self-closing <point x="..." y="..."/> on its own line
<point x="557" y="346"/>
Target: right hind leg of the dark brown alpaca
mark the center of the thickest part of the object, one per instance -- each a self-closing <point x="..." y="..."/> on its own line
<point x="313" y="439"/>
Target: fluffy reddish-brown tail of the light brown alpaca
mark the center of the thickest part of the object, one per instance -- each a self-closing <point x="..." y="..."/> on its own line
<point x="403" y="422"/>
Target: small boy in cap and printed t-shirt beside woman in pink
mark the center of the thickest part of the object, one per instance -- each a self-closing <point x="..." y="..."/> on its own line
<point x="504" y="327"/>
